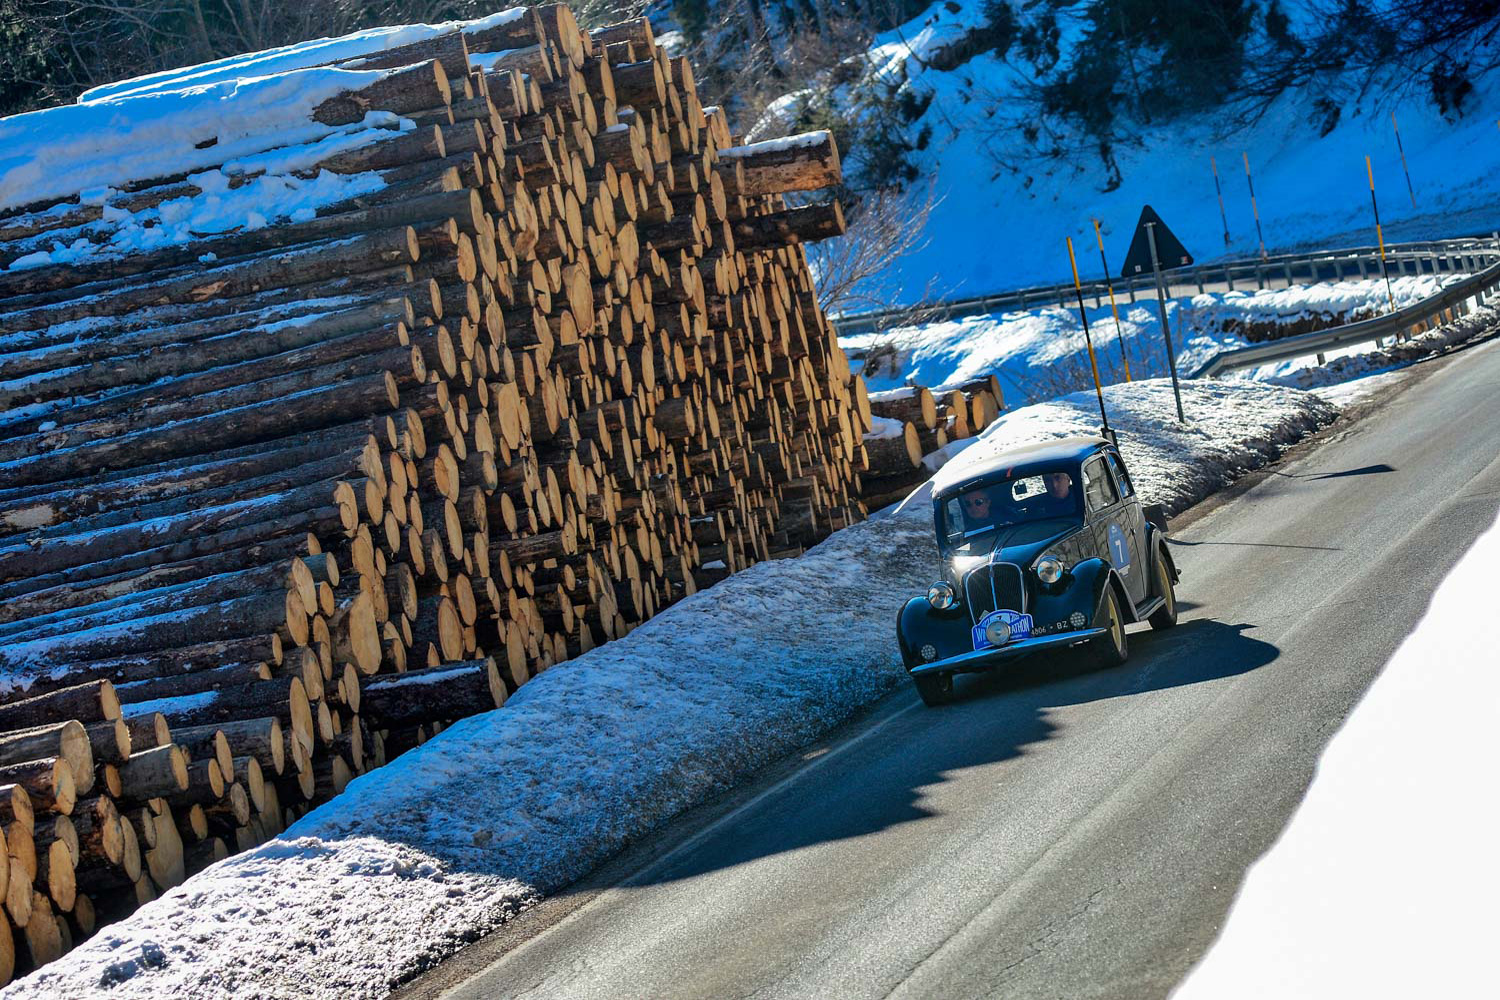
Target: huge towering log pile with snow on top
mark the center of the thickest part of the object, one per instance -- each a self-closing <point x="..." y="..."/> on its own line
<point x="347" y="388"/>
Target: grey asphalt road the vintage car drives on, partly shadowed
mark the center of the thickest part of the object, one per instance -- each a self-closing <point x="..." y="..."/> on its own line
<point x="1055" y="837"/>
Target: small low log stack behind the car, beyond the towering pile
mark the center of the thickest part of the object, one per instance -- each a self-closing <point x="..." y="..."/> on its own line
<point x="914" y="422"/>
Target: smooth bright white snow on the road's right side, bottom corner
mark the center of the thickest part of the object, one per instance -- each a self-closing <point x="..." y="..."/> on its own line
<point x="1384" y="882"/>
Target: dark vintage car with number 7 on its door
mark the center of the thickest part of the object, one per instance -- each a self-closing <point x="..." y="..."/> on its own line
<point x="1043" y="548"/>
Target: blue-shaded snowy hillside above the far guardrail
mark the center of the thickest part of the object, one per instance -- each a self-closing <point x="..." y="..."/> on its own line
<point x="1010" y="182"/>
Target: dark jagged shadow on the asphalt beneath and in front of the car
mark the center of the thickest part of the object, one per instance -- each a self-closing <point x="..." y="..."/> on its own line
<point x="887" y="774"/>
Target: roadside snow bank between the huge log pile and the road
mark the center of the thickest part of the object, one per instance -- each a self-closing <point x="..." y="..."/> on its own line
<point x="452" y="839"/>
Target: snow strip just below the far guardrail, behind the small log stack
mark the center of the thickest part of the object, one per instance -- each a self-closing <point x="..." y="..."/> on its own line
<point x="1042" y="353"/>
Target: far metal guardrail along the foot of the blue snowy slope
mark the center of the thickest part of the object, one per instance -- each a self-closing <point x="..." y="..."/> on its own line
<point x="1436" y="257"/>
